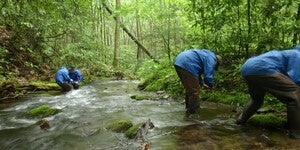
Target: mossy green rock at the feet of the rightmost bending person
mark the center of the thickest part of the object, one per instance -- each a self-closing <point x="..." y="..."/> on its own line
<point x="267" y="120"/>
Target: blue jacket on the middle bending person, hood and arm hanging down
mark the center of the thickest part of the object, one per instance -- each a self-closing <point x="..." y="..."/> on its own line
<point x="198" y="62"/>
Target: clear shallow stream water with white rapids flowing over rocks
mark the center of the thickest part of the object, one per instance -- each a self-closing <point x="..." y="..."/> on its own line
<point x="89" y="110"/>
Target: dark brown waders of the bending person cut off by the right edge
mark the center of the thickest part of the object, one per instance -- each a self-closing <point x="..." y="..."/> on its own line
<point x="280" y="86"/>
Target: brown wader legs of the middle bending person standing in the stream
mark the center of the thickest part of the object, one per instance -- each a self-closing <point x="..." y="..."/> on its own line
<point x="191" y="86"/>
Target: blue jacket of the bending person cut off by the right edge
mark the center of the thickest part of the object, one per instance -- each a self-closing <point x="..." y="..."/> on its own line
<point x="285" y="61"/>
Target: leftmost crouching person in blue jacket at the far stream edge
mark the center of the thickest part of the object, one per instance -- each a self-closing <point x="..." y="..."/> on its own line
<point x="63" y="79"/>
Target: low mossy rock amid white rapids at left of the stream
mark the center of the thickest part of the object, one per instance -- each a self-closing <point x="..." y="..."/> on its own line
<point x="43" y="111"/>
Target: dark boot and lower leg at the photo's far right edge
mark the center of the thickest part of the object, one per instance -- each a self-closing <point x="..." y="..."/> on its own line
<point x="293" y="121"/>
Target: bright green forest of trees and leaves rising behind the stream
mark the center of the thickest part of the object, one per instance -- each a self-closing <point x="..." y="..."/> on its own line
<point x="100" y="37"/>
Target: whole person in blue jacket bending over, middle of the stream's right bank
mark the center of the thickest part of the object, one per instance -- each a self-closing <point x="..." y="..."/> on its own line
<point x="190" y="65"/>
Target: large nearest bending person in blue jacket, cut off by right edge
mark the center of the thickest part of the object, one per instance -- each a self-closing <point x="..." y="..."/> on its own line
<point x="278" y="73"/>
